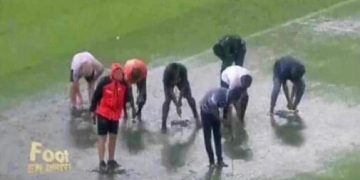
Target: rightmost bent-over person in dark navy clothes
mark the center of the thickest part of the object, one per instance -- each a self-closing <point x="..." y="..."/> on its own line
<point x="285" y="69"/>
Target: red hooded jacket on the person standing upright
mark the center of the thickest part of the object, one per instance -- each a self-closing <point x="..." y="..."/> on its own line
<point x="110" y="96"/>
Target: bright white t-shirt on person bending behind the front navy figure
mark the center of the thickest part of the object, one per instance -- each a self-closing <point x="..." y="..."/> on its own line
<point x="232" y="75"/>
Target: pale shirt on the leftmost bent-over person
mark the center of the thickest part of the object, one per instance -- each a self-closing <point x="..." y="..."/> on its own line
<point x="80" y="59"/>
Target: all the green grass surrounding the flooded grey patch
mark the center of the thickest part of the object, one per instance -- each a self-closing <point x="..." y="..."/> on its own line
<point x="39" y="37"/>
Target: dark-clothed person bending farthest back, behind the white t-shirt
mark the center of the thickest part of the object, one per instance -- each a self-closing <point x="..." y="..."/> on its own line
<point x="231" y="49"/>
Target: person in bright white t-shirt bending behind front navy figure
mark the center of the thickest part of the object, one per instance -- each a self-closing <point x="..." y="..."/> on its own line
<point x="237" y="79"/>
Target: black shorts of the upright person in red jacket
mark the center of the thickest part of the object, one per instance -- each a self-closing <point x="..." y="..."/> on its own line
<point x="106" y="126"/>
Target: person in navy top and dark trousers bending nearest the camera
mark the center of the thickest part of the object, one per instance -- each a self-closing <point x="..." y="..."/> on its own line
<point x="210" y="105"/>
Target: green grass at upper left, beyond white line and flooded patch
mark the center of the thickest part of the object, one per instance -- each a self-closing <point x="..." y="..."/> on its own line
<point x="38" y="38"/>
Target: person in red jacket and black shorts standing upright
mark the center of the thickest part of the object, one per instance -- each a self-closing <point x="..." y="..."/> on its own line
<point x="107" y="105"/>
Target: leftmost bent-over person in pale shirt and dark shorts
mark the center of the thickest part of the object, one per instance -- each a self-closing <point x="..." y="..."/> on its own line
<point x="83" y="65"/>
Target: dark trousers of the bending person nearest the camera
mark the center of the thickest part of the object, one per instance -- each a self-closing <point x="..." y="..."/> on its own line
<point x="212" y="125"/>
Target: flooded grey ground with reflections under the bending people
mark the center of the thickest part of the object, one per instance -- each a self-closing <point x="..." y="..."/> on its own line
<point x="268" y="148"/>
